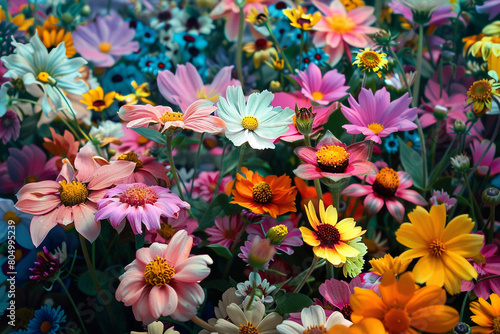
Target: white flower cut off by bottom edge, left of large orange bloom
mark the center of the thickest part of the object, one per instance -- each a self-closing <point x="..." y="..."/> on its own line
<point x="313" y="318"/>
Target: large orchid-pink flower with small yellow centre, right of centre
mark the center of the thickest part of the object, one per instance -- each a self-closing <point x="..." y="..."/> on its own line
<point x="376" y="116"/>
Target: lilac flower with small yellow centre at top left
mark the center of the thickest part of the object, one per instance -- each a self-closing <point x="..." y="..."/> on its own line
<point x="105" y="41"/>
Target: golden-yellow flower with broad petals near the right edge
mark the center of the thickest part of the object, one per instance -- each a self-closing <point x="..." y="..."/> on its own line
<point x="442" y="250"/>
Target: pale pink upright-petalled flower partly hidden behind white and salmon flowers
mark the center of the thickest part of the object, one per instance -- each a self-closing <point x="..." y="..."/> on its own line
<point x="186" y="86"/>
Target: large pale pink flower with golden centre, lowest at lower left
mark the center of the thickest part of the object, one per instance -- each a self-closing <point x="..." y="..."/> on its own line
<point x="163" y="281"/>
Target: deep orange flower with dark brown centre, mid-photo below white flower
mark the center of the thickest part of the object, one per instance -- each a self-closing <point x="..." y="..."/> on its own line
<point x="270" y="194"/>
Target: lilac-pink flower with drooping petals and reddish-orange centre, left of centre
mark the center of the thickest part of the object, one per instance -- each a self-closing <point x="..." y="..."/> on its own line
<point x="138" y="203"/>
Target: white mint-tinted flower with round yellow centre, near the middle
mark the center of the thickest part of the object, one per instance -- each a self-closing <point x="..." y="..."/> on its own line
<point x="256" y="121"/>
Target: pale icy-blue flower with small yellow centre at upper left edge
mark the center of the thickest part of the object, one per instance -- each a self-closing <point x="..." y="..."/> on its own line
<point x="40" y="69"/>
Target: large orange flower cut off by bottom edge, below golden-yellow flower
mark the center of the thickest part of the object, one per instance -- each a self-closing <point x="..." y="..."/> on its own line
<point x="403" y="307"/>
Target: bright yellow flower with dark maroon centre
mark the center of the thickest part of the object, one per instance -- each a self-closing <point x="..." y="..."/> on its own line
<point x="329" y="238"/>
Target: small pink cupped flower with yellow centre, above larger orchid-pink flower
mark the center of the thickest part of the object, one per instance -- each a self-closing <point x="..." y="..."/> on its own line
<point x="321" y="89"/>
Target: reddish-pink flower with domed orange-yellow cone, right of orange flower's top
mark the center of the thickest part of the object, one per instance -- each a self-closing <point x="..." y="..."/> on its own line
<point x="333" y="160"/>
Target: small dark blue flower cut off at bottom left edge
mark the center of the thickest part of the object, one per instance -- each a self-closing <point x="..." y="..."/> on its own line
<point x="47" y="320"/>
